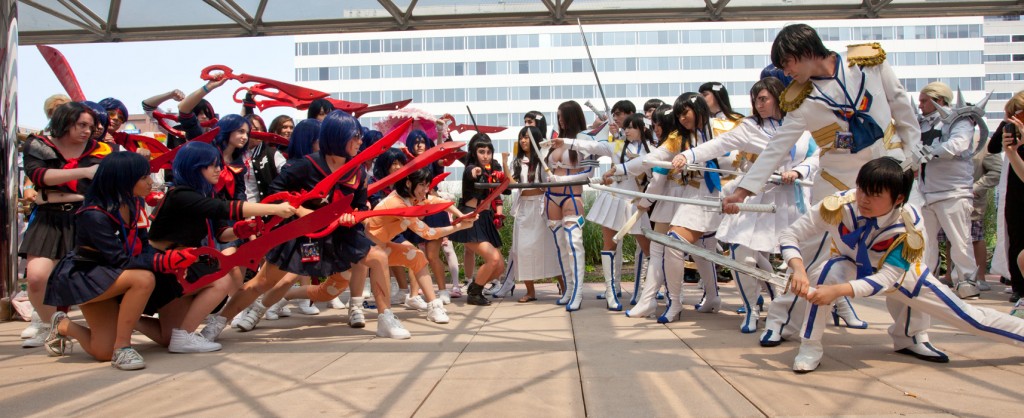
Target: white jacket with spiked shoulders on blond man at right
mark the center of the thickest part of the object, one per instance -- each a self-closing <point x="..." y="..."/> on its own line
<point x="951" y="174"/>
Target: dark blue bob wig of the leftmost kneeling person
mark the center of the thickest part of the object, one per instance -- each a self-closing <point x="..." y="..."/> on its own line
<point x="115" y="181"/>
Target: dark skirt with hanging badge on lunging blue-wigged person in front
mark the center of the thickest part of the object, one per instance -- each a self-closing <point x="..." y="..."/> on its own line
<point x="338" y="253"/>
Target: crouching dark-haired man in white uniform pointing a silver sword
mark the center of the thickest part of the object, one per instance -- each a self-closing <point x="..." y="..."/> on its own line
<point x="877" y="248"/>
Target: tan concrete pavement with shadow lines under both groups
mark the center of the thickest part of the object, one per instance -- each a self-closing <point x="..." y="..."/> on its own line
<point x="526" y="360"/>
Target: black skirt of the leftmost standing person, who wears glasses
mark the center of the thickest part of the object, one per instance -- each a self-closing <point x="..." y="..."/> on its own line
<point x="51" y="233"/>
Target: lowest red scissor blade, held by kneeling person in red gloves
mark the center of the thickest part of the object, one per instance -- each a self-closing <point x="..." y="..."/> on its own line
<point x="250" y="254"/>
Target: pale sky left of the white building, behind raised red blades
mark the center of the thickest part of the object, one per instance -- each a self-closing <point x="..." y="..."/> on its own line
<point x="135" y="71"/>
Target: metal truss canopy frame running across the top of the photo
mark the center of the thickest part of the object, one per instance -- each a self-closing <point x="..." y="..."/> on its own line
<point x="88" y="25"/>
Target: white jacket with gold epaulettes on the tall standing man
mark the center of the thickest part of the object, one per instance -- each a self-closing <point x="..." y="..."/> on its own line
<point x="808" y="108"/>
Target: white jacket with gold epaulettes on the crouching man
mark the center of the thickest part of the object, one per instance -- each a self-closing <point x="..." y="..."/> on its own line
<point x="887" y="250"/>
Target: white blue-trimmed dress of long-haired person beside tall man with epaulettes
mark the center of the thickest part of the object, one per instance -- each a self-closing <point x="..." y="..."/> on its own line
<point x="760" y="231"/>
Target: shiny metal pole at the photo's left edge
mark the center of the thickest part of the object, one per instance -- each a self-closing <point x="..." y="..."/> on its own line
<point x="9" y="147"/>
